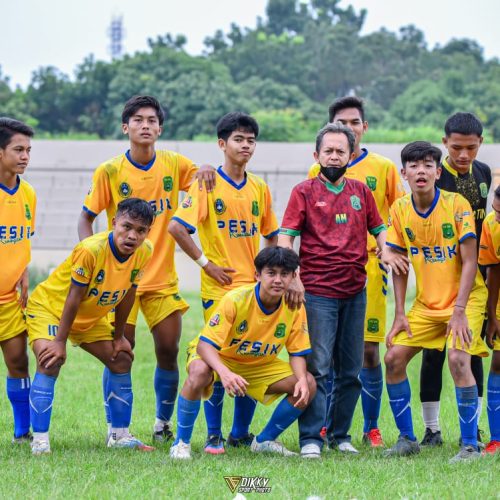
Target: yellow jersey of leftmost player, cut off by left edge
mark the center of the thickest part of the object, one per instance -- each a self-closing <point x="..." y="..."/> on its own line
<point x="17" y="226"/>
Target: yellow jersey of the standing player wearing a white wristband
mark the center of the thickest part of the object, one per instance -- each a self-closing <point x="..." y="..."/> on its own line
<point x="231" y="220"/>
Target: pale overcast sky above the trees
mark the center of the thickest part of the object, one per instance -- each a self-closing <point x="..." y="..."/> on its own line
<point x="61" y="33"/>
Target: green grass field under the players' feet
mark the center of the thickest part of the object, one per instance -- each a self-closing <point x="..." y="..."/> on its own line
<point x="81" y="466"/>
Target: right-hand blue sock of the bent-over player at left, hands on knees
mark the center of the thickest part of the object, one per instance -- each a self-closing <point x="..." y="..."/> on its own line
<point x="120" y="399"/>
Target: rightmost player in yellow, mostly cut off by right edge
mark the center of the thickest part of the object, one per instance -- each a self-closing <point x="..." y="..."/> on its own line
<point x="489" y="255"/>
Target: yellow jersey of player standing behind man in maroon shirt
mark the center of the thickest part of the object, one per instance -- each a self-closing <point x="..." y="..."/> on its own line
<point x="380" y="175"/>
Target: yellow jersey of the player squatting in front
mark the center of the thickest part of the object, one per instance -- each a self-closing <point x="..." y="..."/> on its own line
<point x="241" y="328"/>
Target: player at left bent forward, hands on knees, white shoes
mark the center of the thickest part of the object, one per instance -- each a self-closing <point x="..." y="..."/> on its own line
<point x="101" y="273"/>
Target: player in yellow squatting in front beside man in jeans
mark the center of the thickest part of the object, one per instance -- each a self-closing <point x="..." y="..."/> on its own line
<point x="240" y="345"/>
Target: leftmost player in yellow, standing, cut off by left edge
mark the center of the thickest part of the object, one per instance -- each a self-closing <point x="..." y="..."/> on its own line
<point x="17" y="226"/>
